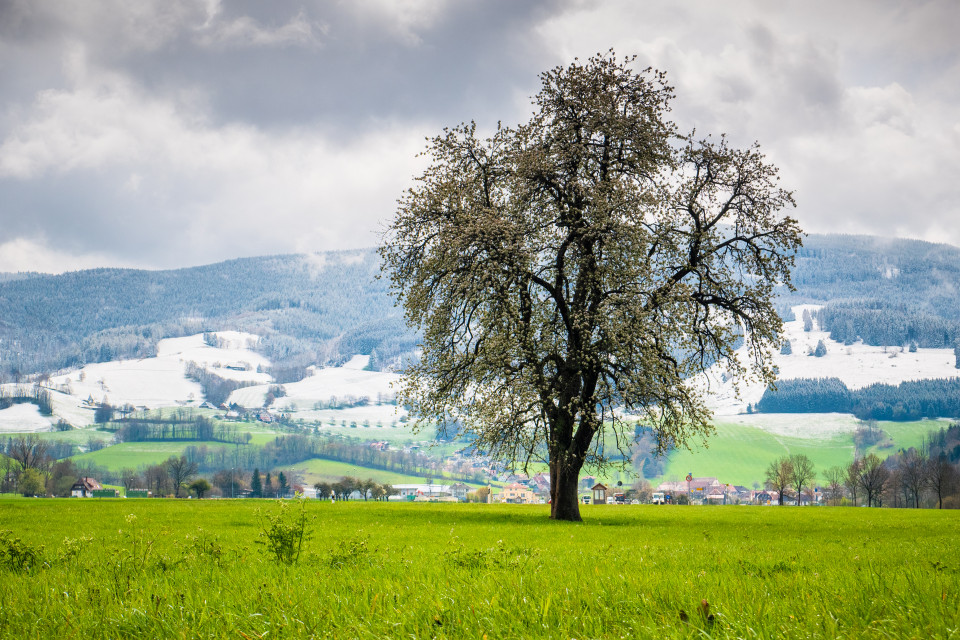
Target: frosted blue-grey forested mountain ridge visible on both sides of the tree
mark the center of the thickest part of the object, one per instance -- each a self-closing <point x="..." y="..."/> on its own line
<point x="322" y="308"/>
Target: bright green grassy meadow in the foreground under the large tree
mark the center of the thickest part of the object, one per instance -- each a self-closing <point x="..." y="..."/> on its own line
<point x="194" y="569"/>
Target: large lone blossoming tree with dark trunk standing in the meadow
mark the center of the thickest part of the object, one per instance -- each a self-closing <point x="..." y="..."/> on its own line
<point x="573" y="274"/>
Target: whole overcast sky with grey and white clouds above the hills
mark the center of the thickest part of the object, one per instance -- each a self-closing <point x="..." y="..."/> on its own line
<point x="169" y="133"/>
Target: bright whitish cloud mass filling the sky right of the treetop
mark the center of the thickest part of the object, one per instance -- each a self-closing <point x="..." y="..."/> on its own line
<point x="855" y="102"/>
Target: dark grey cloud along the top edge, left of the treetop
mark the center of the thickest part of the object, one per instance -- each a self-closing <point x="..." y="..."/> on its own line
<point x="327" y="63"/>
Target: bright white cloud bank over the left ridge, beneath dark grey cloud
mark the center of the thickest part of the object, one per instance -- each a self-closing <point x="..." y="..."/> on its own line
<point x="205" y="191"/>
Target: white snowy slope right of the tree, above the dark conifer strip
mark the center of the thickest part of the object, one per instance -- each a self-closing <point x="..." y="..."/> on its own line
<point x="857" y="365"/>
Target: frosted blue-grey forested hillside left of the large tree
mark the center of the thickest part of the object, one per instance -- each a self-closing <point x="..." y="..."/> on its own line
<point x="308" y="309"/>
